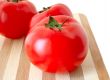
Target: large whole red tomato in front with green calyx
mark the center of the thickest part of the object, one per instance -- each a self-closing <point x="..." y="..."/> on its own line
<point x="58" y="43"/>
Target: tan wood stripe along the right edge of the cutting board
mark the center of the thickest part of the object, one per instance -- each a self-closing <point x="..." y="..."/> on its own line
<point x="100" y="67"/>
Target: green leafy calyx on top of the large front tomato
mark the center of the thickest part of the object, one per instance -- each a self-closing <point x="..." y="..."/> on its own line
<point x="53" y="24"/>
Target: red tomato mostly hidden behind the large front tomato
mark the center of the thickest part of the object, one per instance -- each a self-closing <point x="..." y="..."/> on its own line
<point x="57" y="9"/>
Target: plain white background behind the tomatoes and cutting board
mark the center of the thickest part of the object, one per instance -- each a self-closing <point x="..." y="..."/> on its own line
<point x="98" y="13"/>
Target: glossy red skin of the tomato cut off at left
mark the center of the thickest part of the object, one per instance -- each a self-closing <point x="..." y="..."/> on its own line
<point x="15" y="18"/>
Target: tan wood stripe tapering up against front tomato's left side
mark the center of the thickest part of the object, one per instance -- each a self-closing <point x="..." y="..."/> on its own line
<point x="24" y="66"/>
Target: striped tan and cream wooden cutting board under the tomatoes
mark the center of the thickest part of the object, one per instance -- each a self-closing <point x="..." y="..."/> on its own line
<point x="14" y="64"/>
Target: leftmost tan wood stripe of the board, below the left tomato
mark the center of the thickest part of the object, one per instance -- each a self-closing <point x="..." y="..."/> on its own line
<point x="4" y="55"/>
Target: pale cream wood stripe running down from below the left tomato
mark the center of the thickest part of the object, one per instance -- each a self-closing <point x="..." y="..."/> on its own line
<point x="13" y="61"/>
